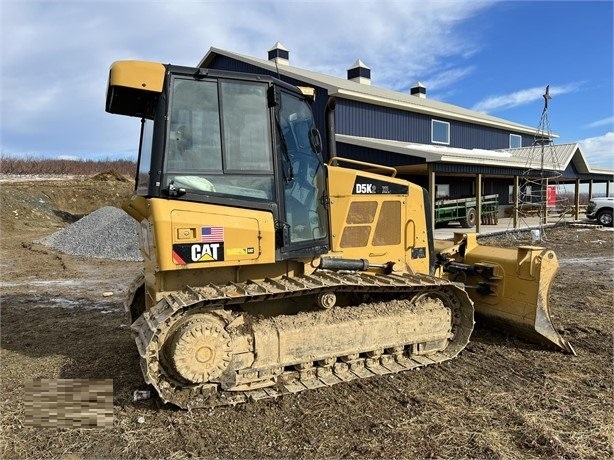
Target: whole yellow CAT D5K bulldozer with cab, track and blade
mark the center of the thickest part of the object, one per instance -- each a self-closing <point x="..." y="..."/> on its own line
<point x="269" y="271"/>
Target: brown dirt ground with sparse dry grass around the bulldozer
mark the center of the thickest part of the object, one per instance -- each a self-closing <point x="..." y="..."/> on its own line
<point x="501" y="398"/>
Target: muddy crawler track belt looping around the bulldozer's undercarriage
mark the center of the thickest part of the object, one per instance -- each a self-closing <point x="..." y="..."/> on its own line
<point x="152" y="325"/>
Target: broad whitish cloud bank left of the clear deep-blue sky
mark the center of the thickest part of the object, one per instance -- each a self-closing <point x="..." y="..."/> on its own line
<point x="54" y="71"/>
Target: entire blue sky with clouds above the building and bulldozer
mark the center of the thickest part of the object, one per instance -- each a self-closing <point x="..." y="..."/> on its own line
<point x="491" y="56"/>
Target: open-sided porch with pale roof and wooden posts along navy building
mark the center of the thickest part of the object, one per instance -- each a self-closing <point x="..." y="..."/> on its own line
<point x="479" y="171"/>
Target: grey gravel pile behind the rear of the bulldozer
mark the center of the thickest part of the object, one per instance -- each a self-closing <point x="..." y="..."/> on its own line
<point x="107" y="233"/>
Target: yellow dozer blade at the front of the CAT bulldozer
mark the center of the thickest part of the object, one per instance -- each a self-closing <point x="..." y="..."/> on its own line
<point x="509" y="287"/>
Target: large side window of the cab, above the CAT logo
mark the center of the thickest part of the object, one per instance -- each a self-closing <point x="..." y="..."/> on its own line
<point x="219" y="139"/>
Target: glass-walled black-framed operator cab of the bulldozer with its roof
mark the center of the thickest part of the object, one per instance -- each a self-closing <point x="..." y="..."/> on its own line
<point x="247" y="141"/>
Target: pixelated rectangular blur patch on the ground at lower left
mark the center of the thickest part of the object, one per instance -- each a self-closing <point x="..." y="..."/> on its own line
<point x="69" y="403"/>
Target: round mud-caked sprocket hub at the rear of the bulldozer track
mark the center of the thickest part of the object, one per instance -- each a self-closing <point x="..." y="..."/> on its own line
<point x="200" y="349"/>
